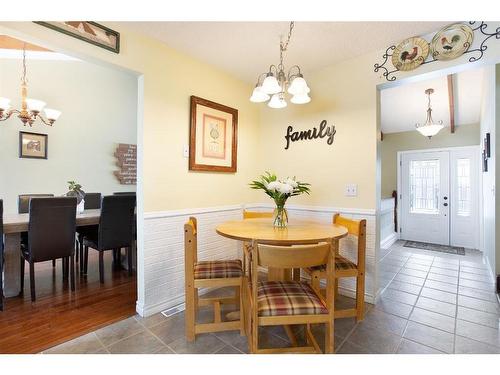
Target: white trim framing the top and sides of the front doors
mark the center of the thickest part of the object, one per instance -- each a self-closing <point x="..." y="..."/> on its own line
<point x="477" y="148"/>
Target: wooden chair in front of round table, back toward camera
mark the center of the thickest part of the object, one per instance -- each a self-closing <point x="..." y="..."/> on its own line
<point x="273" y="303"/>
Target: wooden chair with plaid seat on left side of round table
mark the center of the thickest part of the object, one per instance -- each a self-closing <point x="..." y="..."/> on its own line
<point x="209" y="274"/>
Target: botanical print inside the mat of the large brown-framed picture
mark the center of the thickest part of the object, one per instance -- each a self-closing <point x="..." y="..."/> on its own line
<point x="214" y="137"/>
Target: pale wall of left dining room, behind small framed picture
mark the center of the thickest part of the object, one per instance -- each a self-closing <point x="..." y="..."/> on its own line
<point x="99" y="110"/>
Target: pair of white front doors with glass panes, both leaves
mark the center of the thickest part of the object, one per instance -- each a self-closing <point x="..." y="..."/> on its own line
<point x="439" y="195"/>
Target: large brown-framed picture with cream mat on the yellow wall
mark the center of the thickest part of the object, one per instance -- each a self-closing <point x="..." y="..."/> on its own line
<point x="213" y="136"/>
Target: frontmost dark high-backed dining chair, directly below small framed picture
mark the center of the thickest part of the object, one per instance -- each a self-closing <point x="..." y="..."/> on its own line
<point x="51" y="235"/>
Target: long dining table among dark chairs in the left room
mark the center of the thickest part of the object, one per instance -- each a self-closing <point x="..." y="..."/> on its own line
<point x="13" y="226"/>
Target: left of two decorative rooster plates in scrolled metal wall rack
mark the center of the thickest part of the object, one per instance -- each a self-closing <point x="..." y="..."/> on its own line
<point x="410" y="53"/>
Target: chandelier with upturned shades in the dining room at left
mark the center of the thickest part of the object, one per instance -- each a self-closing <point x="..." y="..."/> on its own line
<point x="30" y="108"/>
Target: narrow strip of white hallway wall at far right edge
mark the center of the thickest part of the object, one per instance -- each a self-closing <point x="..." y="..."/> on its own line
<point x="487" y="125"/>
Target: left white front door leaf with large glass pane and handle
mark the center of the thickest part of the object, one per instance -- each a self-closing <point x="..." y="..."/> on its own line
<point x="425" y="197"/>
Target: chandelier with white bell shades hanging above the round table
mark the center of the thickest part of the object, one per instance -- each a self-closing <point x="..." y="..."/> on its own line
<point x="273" y="84"/>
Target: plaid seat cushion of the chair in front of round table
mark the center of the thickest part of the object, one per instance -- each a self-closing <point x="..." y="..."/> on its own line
<point x="276" y="298"/>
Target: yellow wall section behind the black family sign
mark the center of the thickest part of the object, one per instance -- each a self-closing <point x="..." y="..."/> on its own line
<point x="345" y="96"/>
